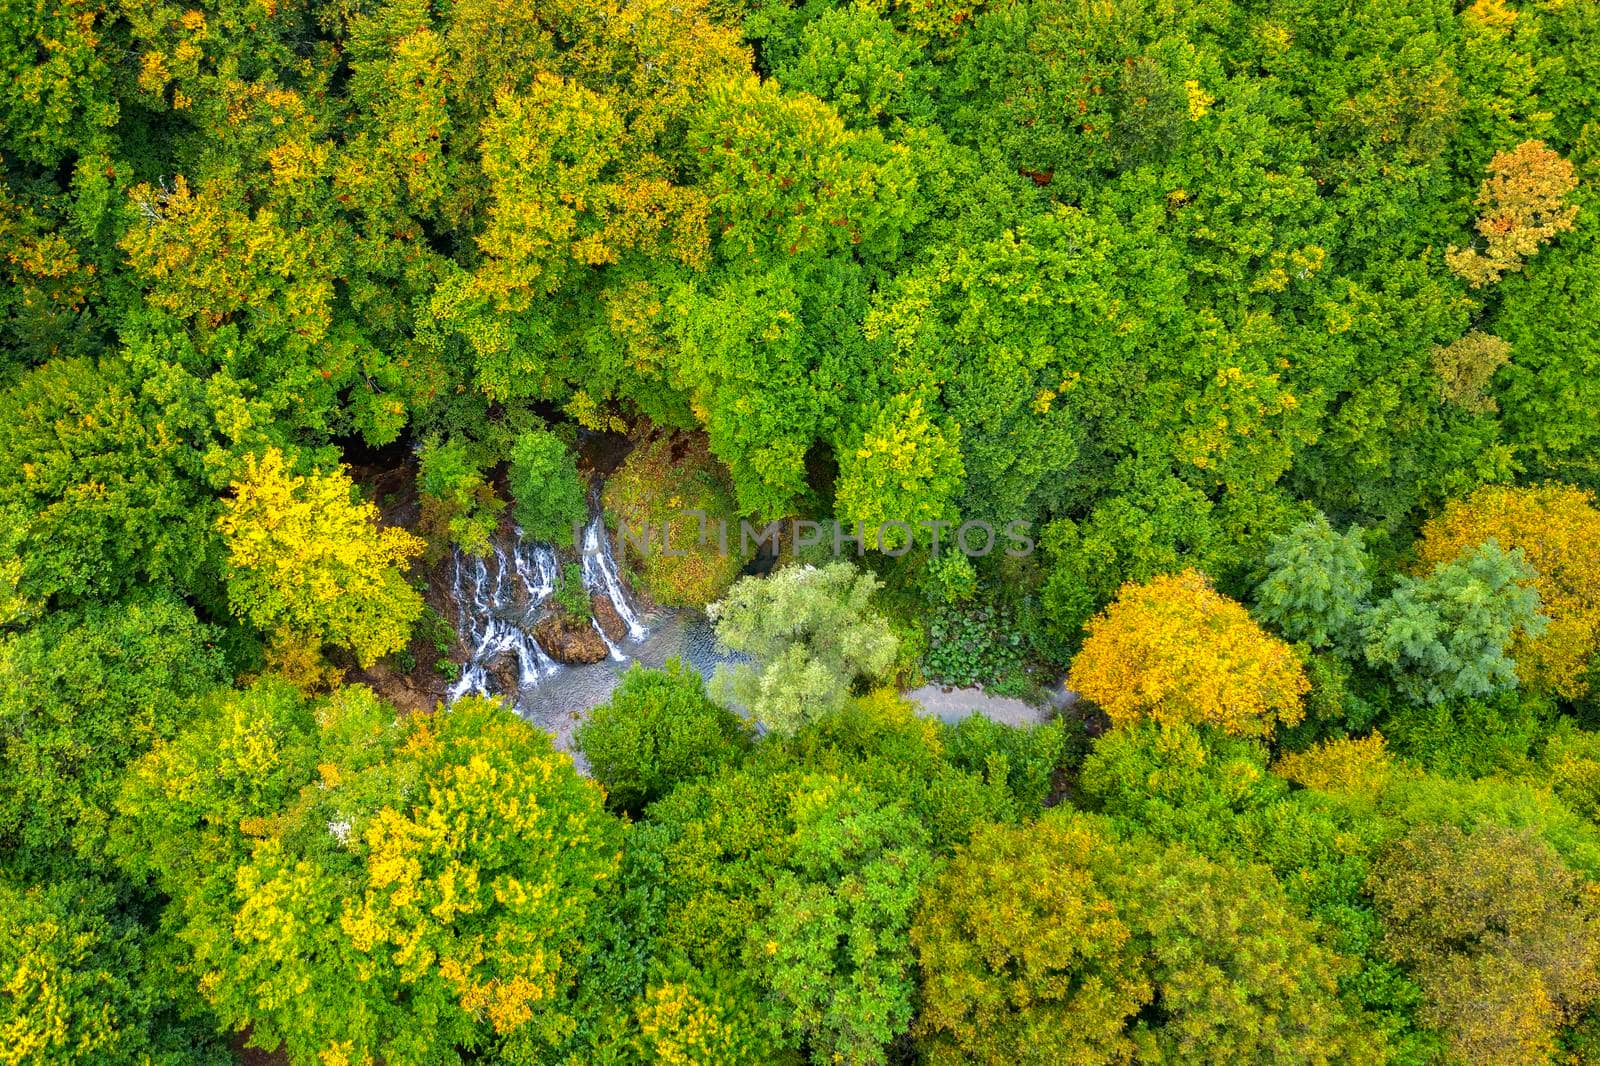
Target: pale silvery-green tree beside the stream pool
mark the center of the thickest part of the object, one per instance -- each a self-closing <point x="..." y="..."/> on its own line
<point x="812" y="633"/>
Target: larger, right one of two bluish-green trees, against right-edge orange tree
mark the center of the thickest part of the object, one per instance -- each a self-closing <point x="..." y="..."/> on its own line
<point x="1449" y="635"/>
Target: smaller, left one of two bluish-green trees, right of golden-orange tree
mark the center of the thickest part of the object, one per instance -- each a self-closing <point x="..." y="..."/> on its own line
<point x="1318" y="585"/>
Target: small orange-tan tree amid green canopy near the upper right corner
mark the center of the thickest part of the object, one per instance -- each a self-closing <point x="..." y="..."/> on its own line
<point x="1522" y="207"/>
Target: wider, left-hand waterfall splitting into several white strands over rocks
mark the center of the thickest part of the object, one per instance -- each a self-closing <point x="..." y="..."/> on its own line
<point x="490" y="619"/>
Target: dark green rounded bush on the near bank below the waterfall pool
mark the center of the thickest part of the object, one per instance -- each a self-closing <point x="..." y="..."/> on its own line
<point x="657" y="731"/>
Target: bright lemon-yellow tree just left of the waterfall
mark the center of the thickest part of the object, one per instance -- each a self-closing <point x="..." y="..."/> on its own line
<point x="306" y="561"/>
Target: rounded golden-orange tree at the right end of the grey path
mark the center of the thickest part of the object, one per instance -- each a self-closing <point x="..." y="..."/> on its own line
<point x="1177" y="651"/>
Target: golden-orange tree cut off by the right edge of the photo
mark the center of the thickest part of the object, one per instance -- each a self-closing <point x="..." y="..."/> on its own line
<point x="1558" y="529"/>
